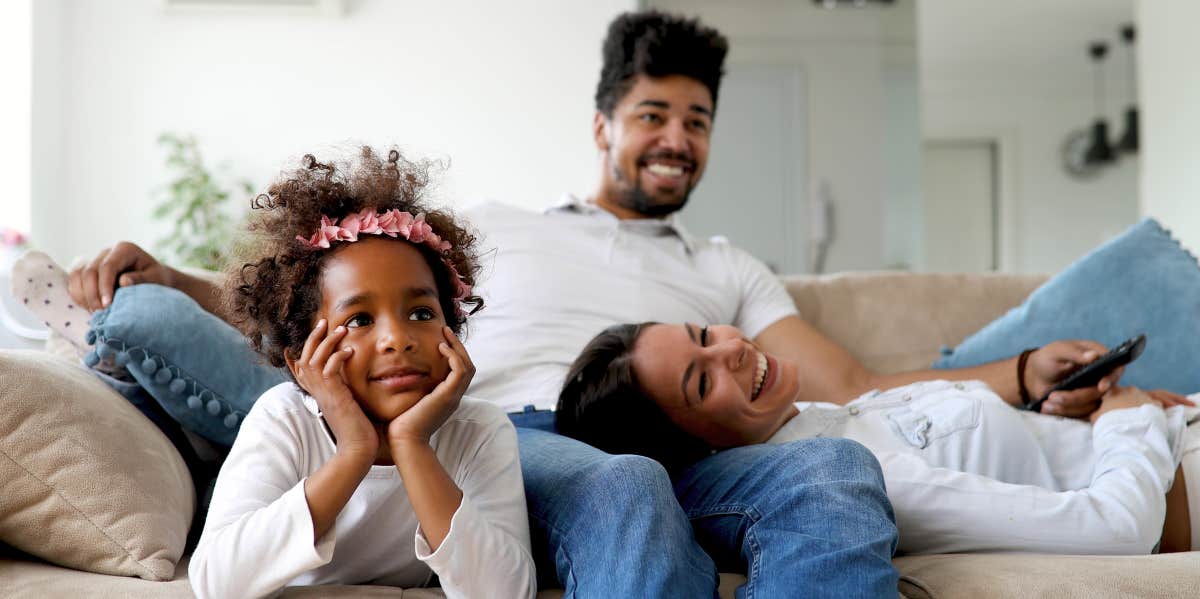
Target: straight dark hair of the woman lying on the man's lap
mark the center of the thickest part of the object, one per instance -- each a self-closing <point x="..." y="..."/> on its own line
<point x="603" y="405"/>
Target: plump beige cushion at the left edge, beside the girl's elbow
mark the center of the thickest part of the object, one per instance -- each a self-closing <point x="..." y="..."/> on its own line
<point x="89" y="482"/>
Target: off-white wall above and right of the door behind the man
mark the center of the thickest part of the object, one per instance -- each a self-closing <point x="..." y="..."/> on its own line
<point x="860" y="69"/>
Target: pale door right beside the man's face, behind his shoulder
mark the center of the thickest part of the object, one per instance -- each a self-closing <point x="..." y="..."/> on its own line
<point x="754" y="189"/>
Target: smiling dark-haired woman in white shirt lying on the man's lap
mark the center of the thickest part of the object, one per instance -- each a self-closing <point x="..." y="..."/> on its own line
<point x="964" y="471"/>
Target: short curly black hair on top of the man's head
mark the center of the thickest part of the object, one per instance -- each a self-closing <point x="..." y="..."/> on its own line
<point x="658" y="45"/>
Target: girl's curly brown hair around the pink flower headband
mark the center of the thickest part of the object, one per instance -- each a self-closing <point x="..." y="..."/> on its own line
<point x="272" y="292"/>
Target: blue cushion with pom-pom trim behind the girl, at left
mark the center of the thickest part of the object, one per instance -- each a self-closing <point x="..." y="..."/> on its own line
<point x="199" y="368"/>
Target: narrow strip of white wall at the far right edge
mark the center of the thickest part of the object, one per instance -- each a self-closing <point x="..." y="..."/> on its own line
<point x="1171" y="95"/>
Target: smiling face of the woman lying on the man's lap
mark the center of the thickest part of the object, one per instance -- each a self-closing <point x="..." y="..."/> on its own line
<point x="715" y="384"/>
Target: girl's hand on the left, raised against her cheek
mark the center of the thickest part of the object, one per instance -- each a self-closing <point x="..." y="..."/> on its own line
<point x="320" y="372"/>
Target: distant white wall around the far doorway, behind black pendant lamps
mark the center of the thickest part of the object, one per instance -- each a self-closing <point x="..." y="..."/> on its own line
<point x="1051" y="219"/>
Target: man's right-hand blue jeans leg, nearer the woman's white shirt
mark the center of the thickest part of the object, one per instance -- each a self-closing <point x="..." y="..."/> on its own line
<point x="805" y="519"/>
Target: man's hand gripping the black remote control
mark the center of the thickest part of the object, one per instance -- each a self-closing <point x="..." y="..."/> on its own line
<point x="1052" y="363"/>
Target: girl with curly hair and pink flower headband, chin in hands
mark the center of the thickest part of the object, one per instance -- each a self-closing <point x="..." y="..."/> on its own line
<point x="370" y="468"/>
